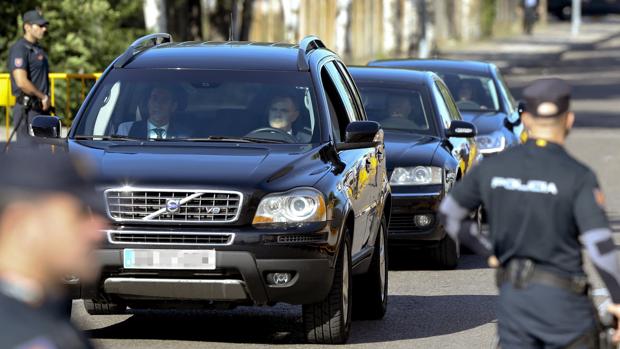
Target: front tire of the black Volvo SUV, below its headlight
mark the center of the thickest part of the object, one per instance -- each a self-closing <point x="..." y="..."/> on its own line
<point x="329" y="321"/>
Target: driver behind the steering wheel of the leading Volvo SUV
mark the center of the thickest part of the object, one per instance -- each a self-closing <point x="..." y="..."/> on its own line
<point x="283" y="111"/>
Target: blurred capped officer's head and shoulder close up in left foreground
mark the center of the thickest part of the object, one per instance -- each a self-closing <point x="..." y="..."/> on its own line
<point x="49" y="227"/>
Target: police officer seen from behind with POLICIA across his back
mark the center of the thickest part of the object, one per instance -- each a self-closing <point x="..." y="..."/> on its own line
<point x="543" y="206"/>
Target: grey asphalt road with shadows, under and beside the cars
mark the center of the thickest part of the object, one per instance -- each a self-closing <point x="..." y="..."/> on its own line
<point x="427" y="309"/>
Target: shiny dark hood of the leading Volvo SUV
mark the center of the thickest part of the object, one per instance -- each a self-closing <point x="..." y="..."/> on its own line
<point x="208" y="165"/>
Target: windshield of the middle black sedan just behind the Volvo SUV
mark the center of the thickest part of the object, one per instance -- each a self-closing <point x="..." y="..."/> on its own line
<point x="397" y="108"/>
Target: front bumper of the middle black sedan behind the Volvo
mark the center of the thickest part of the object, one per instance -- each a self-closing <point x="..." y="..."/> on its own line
<point x="405" y="206"/>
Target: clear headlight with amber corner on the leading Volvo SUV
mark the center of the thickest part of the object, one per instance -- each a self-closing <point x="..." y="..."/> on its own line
<point x="303" y="205"/>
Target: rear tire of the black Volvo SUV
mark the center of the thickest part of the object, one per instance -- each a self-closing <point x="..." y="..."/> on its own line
<point x="371" y="289"/>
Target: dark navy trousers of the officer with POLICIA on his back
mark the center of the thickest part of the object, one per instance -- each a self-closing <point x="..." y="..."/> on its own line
<point x="541" y="316"/>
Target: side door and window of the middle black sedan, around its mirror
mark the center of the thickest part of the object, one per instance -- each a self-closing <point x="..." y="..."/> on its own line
<point x="462" y="149"/>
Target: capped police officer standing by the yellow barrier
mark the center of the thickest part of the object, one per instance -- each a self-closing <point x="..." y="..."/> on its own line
<point x="29" y="71"/>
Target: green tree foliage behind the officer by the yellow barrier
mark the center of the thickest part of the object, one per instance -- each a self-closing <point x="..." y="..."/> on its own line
<point x="83" y="35"/>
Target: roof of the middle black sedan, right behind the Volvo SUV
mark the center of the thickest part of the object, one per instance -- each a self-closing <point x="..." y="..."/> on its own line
<point x="390" y="75"/>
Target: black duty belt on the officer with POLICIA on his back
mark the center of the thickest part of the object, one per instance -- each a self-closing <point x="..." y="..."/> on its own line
<point x="522" y="272"/>
